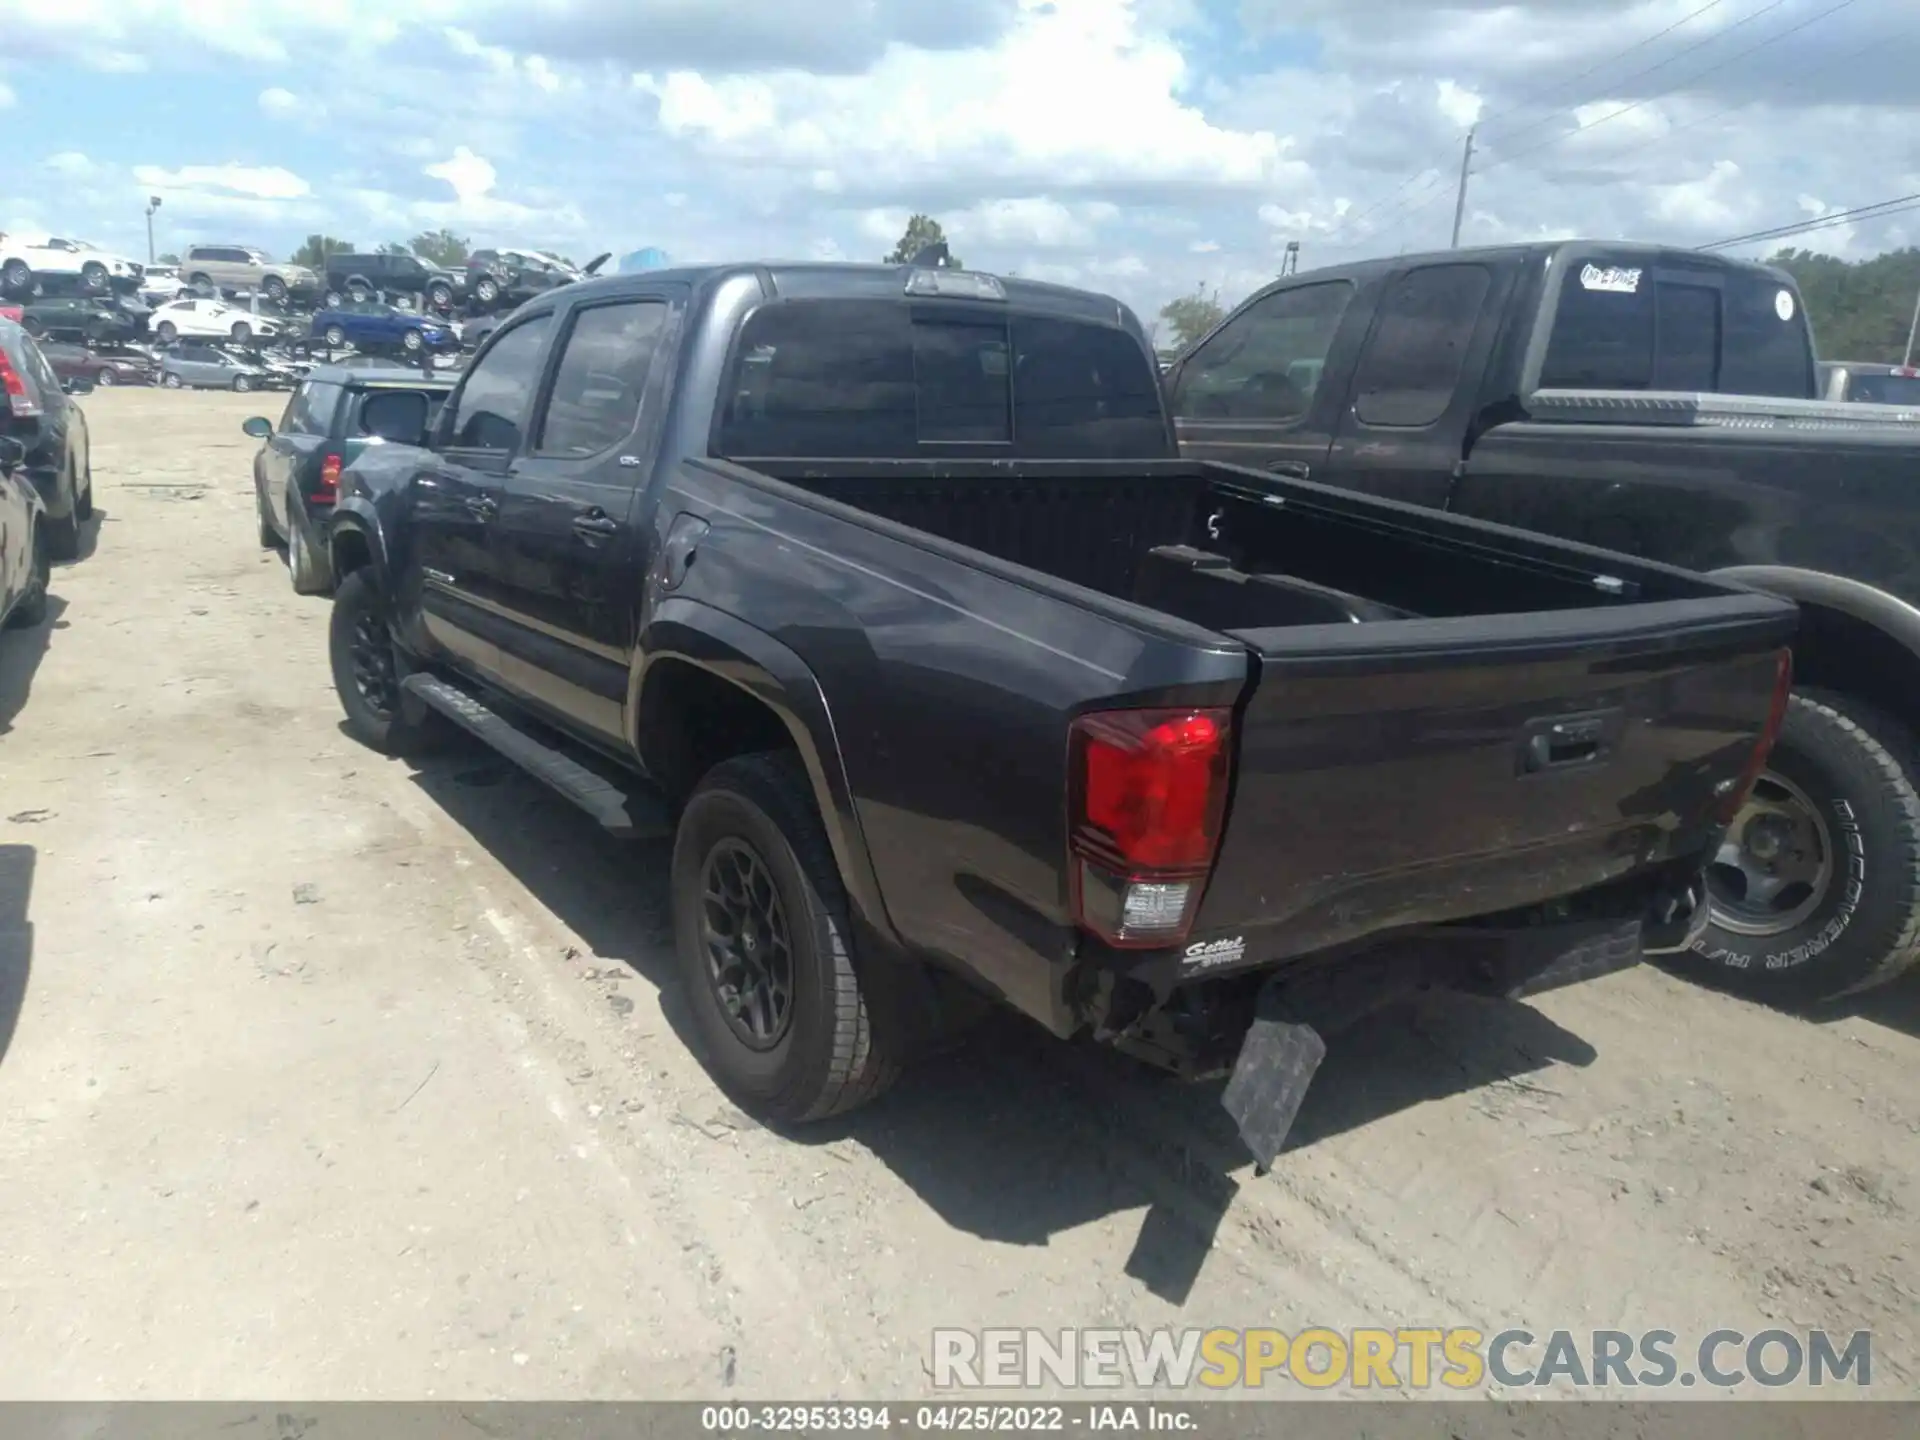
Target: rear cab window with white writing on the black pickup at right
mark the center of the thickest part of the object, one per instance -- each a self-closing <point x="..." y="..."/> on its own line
<point x="1635" y="322"/>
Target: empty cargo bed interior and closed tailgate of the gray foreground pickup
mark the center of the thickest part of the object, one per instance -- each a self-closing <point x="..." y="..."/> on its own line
<point x="1445" y="719"/>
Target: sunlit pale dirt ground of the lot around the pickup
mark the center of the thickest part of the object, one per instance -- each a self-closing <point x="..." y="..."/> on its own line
<point x="335" y="1078"/>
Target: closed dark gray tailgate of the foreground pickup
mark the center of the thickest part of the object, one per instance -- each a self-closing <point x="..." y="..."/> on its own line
<point x="1422" y="771"/>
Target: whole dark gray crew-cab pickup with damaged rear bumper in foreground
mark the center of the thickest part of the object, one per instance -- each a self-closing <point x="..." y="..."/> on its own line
<point x="884" y="592"/>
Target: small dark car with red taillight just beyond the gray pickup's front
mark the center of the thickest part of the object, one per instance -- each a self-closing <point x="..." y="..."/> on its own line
<point x="333" y="418"/>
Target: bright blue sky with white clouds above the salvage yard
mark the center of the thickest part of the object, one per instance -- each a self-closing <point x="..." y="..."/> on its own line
<point x="1138" y="147"/>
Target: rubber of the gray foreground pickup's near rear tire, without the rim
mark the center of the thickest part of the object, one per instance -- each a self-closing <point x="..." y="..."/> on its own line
<point x="832" y="1057"/>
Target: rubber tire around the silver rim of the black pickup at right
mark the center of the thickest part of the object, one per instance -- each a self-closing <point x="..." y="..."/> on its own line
<point x="1854" y="761"/>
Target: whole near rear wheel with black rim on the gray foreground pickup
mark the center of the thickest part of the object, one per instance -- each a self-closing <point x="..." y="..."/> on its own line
<point x="763" y="940"/>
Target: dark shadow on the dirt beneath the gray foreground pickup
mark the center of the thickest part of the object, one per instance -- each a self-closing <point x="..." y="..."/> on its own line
<point x="1015" y="1136"/>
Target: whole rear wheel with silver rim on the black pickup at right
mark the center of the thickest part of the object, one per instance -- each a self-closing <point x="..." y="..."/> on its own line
<point x="1817" y="890"/>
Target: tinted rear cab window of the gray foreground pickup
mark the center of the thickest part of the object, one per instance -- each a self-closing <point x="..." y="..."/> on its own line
<point x="886" y="379"/>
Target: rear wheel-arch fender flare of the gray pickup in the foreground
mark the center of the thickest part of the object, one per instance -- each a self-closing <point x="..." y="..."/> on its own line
<point x="769" y="671"/>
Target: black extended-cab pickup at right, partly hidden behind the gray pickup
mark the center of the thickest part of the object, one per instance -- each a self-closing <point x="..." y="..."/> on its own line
<point x="1662" y="404"/>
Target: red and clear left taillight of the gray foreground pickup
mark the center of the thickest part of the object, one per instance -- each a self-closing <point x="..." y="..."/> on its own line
<point x="1147" y="796"/>
